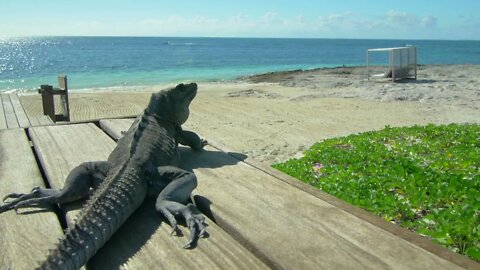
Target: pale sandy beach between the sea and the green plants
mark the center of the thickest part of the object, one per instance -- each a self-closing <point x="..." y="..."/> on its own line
<point x="274" y="117"/>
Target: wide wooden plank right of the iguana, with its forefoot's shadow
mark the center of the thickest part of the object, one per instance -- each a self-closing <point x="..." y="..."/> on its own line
<point x="292" y="229"/>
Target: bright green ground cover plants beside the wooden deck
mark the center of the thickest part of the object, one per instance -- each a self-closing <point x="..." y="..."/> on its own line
<point x="426" y="179"/>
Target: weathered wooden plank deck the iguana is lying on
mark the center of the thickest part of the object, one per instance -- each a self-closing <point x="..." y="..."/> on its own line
<point x="258" y="218"/>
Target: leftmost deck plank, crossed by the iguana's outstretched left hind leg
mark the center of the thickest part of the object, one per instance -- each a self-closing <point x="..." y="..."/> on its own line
<point x="24" y="238"/>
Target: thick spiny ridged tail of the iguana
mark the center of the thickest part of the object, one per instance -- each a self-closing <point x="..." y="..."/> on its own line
<point x="102" y="216"/>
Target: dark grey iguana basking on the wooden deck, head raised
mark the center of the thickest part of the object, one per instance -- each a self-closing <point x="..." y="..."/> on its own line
<point x="142" y="164"/>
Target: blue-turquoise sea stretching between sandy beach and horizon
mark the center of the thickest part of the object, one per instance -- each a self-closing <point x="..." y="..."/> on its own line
<point x="119" y="62"/>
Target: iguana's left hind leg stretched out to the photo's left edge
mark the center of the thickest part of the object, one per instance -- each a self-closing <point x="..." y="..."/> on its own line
<point x="77" y="186"/>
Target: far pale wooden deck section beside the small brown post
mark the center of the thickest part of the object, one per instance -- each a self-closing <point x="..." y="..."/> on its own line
<point x="13" y="115"/>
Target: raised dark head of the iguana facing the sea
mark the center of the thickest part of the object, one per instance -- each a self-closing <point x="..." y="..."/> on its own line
<point x="172" y="104"/>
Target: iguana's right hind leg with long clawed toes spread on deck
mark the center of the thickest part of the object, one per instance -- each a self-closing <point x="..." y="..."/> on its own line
<point x="174" y="187"/>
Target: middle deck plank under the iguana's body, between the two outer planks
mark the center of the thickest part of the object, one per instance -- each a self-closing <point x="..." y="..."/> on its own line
<point x="144" y="242"/>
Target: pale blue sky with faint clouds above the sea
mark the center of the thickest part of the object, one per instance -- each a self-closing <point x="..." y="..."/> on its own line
<point x="377" y="19"/>
